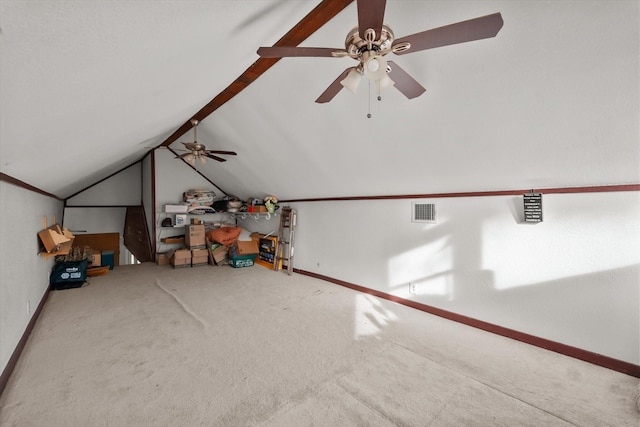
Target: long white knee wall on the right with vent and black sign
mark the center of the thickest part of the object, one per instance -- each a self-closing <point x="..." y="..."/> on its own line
<point x="573" y="278"/>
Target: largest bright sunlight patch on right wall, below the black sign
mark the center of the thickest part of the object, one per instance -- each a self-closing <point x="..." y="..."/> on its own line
<point x="572" y="242"/>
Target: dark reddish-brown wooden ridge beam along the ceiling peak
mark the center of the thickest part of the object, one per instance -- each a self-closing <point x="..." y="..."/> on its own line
<point x="319" y="16"/>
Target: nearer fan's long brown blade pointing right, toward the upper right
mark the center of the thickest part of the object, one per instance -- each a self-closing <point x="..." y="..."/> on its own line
<point x="474" y="29"/>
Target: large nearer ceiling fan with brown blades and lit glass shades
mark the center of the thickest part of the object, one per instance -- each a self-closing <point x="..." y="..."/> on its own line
<point x="371" y="40"/>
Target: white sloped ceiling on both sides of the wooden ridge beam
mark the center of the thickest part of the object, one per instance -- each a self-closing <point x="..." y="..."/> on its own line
<point x="551" y="101"/>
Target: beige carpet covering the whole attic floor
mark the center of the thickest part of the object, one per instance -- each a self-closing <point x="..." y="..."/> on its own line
<point x="217" y="346"/>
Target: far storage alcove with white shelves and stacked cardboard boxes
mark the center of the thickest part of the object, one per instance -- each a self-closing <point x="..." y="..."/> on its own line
<point x="206" y="226"/>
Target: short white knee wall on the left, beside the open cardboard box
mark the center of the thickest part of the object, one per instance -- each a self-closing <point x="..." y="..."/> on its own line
<point x="24" y="276"/>
